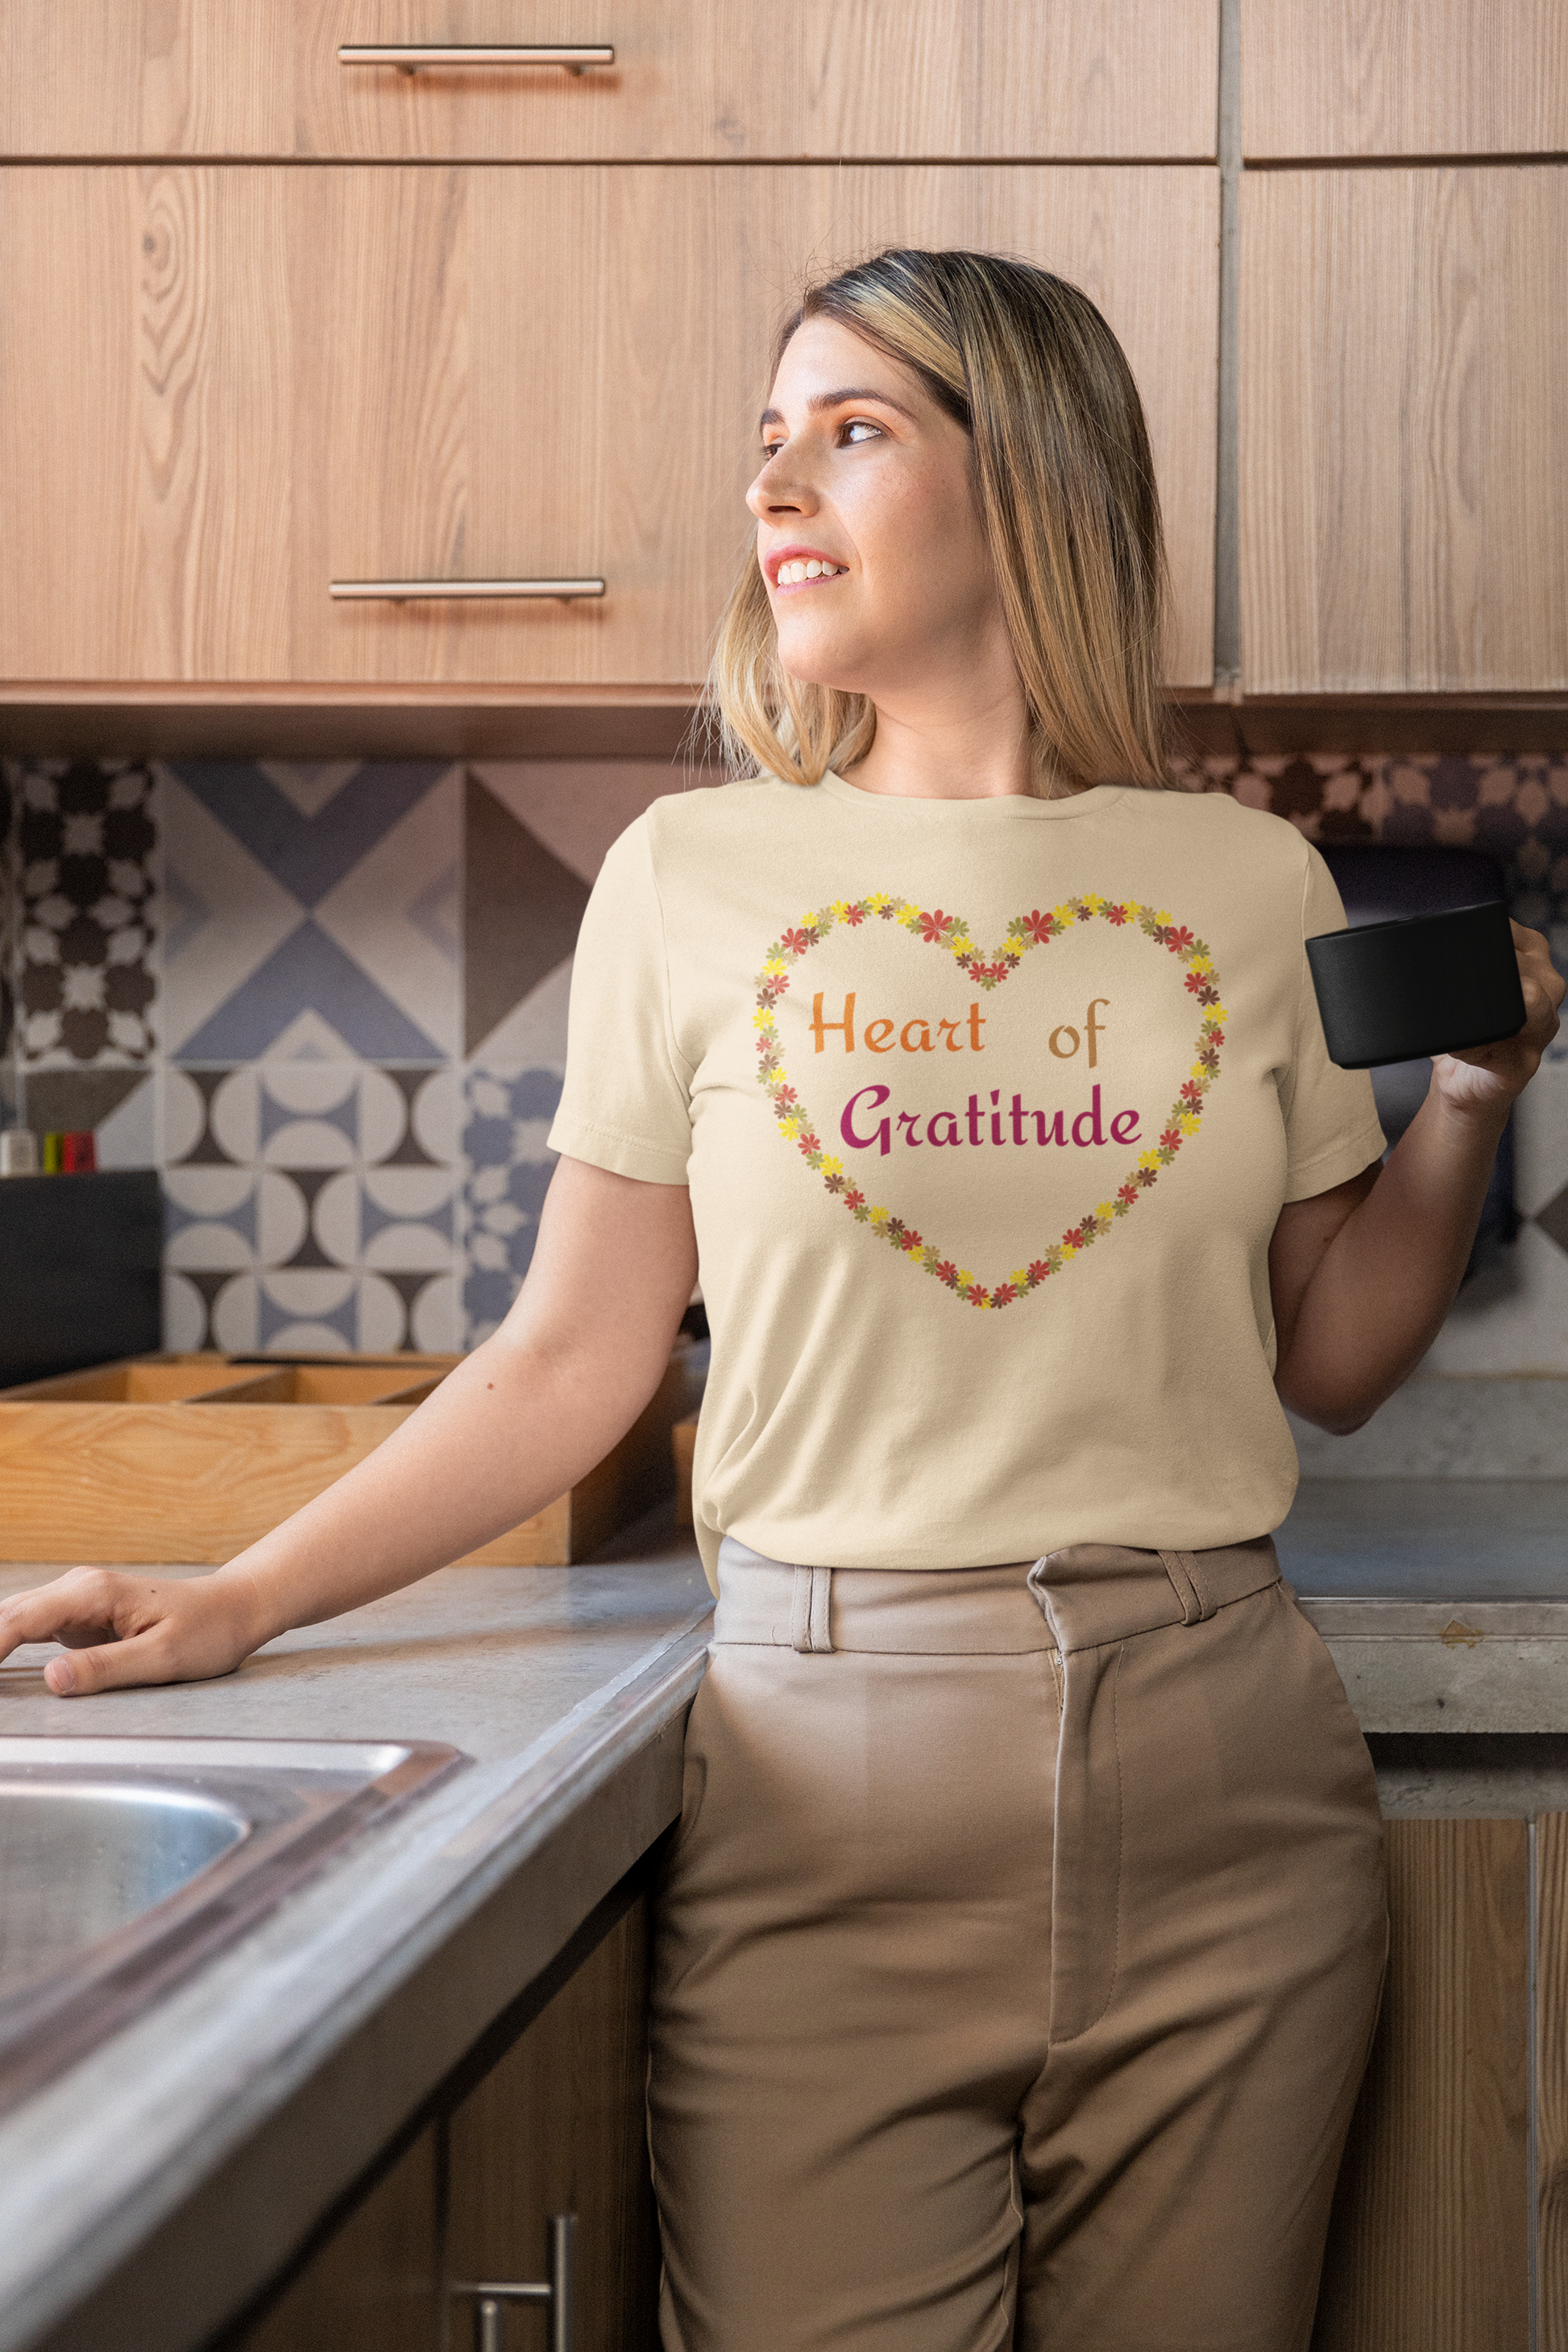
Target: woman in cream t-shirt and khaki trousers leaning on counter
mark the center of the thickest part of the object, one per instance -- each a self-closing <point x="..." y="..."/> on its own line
<point x="1024" y="1935"/>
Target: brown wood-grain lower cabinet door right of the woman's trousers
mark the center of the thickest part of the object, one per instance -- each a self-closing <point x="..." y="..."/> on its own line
<point x="1428" y="2250"/>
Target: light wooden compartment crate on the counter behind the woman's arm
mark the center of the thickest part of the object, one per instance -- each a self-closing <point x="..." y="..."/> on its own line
<point x="185" y="1459"/>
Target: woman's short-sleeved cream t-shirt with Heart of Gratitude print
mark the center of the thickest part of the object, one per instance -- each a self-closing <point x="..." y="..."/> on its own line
<point x="989" y="1111"/>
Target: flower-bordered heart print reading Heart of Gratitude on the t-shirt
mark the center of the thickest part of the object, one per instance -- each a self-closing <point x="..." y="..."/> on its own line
<point x="981" y="1116"/>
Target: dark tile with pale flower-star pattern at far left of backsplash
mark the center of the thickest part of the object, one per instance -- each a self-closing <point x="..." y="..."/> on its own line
<point x="88" y="890"/>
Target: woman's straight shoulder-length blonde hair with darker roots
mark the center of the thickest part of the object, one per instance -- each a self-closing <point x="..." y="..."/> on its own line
<point x="1066" y="493"/>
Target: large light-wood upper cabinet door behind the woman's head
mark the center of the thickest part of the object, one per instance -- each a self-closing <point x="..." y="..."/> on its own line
<point x="269" y="380"/>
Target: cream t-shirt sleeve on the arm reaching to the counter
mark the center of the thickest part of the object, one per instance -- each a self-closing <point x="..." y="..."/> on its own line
<point x="626" y="1104"/>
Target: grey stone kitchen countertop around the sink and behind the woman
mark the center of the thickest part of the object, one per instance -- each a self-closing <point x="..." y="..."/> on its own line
<point x="208" y="2137"/>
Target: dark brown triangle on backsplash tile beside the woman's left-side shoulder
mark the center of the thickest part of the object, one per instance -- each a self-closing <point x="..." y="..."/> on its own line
<point x="521" y="914"/>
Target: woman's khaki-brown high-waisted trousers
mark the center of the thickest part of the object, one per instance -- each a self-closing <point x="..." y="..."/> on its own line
<point x="1017" y="1960"/>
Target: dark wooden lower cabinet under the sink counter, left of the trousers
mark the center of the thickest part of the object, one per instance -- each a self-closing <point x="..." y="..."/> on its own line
<point x="554" y="2127"/>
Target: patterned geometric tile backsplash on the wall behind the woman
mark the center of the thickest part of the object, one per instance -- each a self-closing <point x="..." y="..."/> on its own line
<point x="330" y="1003"/>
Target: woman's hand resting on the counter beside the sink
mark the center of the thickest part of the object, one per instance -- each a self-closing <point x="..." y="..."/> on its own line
<point x="138" y="1629"/>
